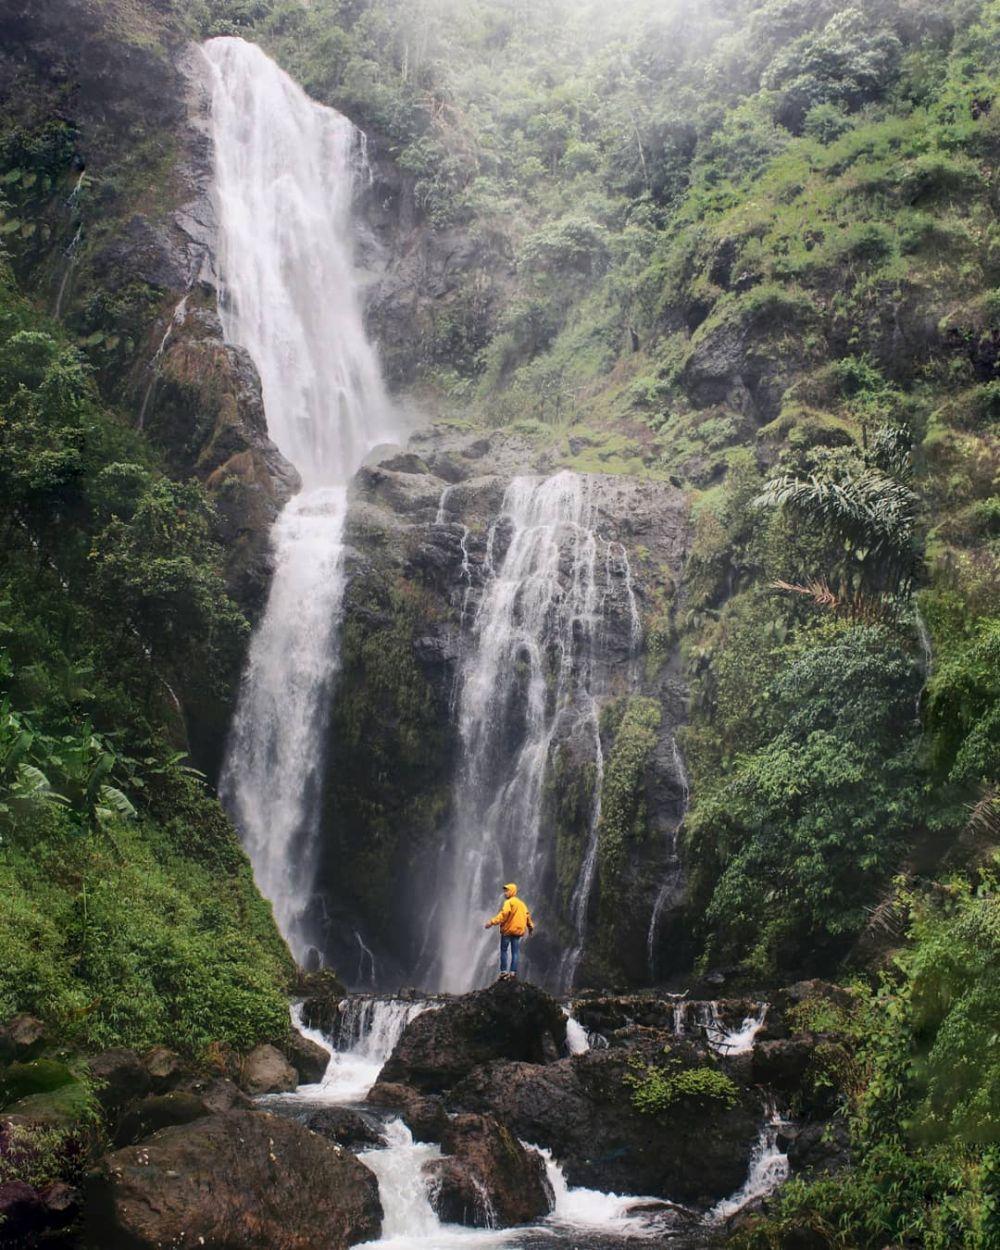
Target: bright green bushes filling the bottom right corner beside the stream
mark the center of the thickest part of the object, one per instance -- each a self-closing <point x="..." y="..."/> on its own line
<point x="917" y="1074"/>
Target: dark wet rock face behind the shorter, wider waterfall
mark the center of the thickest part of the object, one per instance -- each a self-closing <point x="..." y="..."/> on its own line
<point x="422" y="556"/>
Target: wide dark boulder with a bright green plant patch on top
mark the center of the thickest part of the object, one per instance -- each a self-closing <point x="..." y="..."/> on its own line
<point x="694" y="1152"/>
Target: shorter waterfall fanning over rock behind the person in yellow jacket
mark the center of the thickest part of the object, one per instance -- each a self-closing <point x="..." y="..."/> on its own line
<point x="531" y="679"/>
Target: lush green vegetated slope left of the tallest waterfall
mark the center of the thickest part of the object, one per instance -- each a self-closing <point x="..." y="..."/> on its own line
<point x="128" y="913"/>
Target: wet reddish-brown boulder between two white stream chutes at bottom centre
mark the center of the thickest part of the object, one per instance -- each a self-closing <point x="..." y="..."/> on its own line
<point x="488" y="1179"/>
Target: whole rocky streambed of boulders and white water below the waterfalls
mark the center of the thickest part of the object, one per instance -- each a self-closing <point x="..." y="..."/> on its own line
<point x="468" y="1113"/>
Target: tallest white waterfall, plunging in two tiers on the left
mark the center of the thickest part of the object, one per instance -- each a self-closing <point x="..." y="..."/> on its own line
<point x="286" y="174"/>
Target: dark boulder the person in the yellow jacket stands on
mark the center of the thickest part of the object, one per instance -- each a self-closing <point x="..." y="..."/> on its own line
<point x="509" y="1021"/>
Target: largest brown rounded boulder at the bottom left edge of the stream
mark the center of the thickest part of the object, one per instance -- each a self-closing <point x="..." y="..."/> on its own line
<point x="239" y="1182"/>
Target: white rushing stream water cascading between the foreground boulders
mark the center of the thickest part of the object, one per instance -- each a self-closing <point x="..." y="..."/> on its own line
<point x="582" y="1219"/>
